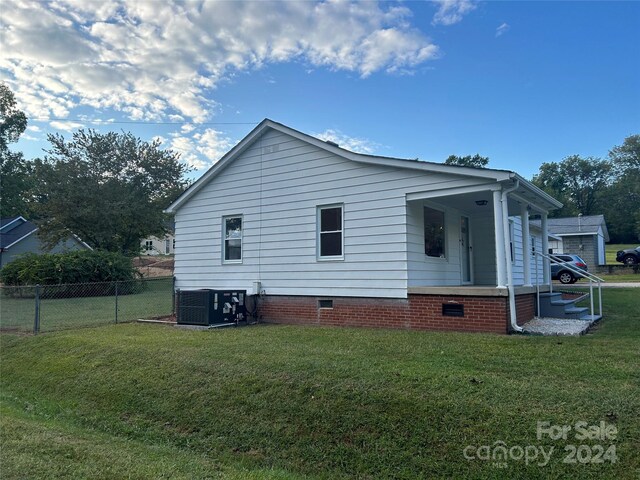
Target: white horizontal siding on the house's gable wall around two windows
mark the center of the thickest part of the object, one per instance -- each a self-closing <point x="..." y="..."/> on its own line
<point x="277" y="184"/>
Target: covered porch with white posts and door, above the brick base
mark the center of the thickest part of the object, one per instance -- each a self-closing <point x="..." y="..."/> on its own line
<point x="478" y="236"/>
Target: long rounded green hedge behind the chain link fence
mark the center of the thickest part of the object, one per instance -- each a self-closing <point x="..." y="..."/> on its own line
<point x="82" y="266"/>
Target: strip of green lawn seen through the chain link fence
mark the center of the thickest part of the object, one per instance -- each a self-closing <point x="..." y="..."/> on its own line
<point x="61" y="313"/>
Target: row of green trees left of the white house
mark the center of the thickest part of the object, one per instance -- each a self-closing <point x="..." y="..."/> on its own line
<point x="107" y="189"/>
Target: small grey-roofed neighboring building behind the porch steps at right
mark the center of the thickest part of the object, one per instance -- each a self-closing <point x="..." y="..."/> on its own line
<point x="584" y="235"/>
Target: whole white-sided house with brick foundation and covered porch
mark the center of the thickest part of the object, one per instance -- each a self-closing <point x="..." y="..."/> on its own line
<point x="329" y="236"/>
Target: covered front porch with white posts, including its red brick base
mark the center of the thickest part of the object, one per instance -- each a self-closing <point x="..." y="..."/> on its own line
<point x="473" y="249"/>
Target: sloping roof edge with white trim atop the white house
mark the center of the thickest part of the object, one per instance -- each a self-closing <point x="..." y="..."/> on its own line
<point x="256" y="133"/>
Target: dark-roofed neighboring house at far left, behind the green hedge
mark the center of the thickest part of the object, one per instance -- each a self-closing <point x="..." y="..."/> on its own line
<point x="18" y="236"/>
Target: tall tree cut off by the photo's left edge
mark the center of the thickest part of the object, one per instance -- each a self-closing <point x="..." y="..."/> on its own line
<point x="15" y="171"/>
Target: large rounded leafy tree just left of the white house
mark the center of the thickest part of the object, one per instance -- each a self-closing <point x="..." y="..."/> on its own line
<point x="109" y="189"/>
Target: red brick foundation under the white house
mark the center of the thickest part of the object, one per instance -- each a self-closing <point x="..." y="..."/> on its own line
<point x="417" y="312"/>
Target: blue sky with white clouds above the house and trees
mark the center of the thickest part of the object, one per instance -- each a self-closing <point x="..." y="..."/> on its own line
<point x="519" y="82"/>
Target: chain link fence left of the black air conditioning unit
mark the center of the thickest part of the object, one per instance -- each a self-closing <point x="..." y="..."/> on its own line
<point x="46" y="308"/>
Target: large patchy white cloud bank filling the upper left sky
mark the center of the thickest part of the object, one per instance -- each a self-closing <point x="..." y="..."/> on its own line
<point x="157" y="60"/>
